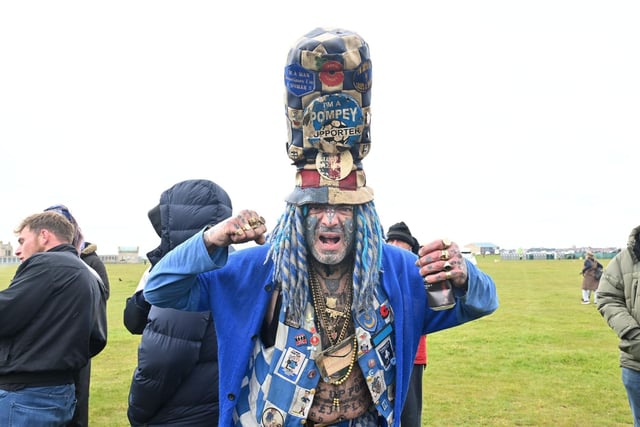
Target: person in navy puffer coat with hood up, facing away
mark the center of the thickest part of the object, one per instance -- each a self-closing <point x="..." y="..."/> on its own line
<point x="176" y="380"/>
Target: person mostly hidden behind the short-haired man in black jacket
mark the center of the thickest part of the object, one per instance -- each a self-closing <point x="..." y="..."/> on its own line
<point x="88" y="254"/>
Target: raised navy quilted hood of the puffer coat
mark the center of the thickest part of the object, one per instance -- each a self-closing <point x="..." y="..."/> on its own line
<point x="185" y="209"/>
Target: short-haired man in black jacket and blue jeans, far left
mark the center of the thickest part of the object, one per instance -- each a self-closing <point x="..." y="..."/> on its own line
<point x="47" y="324"/>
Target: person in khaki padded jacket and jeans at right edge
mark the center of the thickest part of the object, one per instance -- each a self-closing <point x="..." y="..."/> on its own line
<point x="619" y="304"/>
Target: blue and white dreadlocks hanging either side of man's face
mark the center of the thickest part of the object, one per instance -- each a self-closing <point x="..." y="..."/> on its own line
<point x="289" y="254"/>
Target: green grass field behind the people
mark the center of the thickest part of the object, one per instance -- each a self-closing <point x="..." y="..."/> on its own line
<point x="542" y="359"/>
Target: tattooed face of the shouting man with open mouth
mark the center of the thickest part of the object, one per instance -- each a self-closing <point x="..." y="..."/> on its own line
<point x="329" y="230"/>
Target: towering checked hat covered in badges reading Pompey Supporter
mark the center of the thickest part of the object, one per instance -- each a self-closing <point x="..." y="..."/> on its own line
<point x="328" y="98"/>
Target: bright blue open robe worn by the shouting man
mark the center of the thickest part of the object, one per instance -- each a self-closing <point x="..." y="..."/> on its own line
<point x="238" y="295"/>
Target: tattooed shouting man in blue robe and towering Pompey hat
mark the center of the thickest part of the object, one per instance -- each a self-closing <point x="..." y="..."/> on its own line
<point x="319" y="325"/>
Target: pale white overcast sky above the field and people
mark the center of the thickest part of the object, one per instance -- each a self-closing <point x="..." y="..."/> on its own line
<point x="510" y="122"/>
